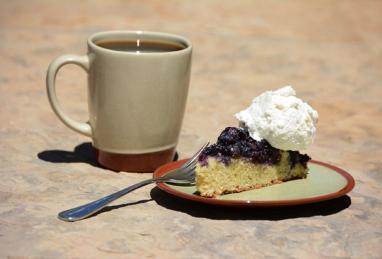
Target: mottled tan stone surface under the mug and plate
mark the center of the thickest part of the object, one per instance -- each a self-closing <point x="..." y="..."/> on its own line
<point x="330" y="51"/>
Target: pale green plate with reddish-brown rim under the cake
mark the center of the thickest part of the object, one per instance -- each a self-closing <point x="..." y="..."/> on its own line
<point x="324" y="182"/>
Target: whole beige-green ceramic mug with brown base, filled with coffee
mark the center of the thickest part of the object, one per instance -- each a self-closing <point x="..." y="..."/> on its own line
<point x="137" y="90"/>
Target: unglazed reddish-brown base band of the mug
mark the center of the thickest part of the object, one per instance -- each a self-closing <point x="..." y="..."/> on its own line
<point x="143" y="163"/>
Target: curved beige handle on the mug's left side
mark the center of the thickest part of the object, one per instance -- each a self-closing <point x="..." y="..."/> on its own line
<point x="54" y="67"/>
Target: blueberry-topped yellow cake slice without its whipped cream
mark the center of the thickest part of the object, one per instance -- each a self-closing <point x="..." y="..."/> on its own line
<point x="238" y="163"/>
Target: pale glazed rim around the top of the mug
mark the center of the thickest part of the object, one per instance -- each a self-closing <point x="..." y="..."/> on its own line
<point x="169" y="36"/>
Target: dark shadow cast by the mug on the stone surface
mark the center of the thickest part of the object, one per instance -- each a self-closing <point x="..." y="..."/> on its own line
<point x="82" y="153"/>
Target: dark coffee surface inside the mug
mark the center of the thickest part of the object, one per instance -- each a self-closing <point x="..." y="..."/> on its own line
<point x="140" y="46"/>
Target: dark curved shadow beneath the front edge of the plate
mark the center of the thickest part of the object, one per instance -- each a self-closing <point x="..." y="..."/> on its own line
<point x="201" y="210"/>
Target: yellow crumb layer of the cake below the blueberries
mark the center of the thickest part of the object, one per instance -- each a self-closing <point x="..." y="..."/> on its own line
<point x="216" y="178"/>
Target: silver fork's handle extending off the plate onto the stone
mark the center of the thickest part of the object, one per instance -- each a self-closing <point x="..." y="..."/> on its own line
<point x="88" y="209"/>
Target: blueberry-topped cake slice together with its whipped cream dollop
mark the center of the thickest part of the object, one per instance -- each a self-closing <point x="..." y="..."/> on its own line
<point x="264" y="150"/>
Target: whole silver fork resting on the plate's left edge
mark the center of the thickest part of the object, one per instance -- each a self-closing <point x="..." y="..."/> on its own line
<point x="182" y="175"/>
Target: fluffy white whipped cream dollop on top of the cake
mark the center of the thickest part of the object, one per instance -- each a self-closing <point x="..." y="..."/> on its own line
<point x="285" y="121"/>
